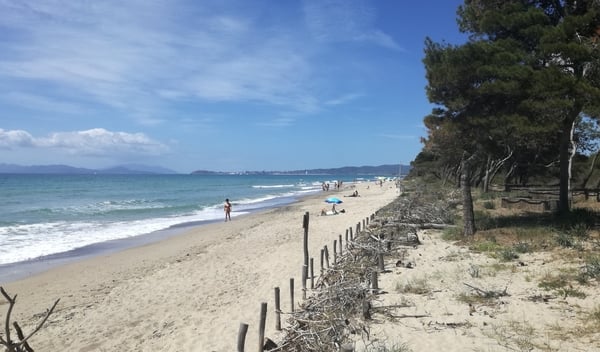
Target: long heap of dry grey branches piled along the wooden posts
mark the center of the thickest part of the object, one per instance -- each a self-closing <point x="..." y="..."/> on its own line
<point x="340" y="309"/>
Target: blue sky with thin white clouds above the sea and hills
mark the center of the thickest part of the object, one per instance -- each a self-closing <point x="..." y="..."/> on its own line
<point x="226" y="85"/>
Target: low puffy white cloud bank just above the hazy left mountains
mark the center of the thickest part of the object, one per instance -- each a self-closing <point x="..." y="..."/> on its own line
<point x="93" y="142"/>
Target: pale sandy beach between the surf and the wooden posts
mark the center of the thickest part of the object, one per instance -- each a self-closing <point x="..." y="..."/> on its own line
<point x="189" y="292"/>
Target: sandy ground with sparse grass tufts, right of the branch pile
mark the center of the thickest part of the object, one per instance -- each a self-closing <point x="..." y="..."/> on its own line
<point x="454" y="299"/>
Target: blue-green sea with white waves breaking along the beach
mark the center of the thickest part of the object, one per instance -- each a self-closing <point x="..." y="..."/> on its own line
<point x="52" y="219"/>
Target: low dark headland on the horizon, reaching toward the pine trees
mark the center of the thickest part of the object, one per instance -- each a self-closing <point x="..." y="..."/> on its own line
<point x="382" y="170"/>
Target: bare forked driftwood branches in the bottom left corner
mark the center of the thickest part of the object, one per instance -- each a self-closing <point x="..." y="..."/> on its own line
<point x="20" y="344"/>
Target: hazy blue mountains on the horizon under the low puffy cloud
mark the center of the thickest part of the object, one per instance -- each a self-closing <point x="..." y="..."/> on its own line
<point x="70" y="170"/>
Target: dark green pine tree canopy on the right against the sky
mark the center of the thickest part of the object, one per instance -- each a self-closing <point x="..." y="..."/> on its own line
<point x="513" y="94"/>
